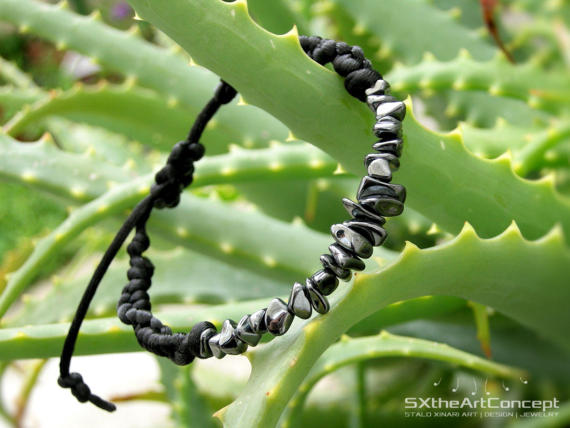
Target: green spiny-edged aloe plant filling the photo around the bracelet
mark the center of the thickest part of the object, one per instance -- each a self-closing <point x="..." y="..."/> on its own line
<point x="470" y="294"/>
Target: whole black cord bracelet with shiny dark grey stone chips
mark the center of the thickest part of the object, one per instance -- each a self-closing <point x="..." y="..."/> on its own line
<point x="355" y="238"/>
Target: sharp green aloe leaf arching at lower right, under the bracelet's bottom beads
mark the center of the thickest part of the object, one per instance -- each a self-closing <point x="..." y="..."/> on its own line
<point x="505" y="278"/>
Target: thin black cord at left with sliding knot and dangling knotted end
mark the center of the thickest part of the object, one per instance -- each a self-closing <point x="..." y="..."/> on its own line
<point x="164" y="193"/>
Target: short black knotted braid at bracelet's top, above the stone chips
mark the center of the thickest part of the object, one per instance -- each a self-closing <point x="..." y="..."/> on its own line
<point x="348" y="61"/>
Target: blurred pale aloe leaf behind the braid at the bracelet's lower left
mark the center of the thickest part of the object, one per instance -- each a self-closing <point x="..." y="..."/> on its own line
<point x="181" y="276"/>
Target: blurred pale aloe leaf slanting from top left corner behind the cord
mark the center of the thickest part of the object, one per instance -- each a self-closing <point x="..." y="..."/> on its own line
<point x="139" y="61"/>
